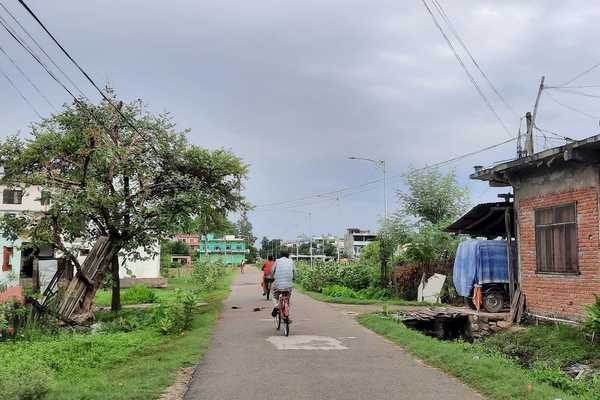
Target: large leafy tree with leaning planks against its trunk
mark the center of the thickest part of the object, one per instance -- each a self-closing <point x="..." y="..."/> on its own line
<point x="119" y="172"/>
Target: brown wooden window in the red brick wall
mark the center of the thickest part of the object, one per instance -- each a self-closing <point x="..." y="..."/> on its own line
<point x="556" y="239"/>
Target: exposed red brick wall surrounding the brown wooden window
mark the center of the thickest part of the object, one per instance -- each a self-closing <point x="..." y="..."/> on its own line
<point x="561" y="295"/>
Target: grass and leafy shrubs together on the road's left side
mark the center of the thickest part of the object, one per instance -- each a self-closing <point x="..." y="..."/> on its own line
<point x="131" y="354"/>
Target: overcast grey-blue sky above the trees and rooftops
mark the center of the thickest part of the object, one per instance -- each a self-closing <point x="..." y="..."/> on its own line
<point x="297" y="87"/>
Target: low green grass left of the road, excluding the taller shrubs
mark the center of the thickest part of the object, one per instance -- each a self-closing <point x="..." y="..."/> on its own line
<point x="137" y="365"/>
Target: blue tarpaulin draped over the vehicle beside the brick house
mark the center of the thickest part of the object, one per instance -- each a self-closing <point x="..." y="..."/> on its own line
<point x="481" y="261"/>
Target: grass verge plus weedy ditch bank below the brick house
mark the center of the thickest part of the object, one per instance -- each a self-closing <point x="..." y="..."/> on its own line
<point x="488" y="369"/>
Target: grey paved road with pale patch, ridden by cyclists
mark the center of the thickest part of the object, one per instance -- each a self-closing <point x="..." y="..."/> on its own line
<point x="328" y="355"/>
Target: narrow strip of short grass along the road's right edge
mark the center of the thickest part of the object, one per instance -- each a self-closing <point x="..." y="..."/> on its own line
<point x="494" y="376"/>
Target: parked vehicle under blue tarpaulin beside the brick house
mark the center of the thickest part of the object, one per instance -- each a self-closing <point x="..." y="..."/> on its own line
<point x="483" y="265"/>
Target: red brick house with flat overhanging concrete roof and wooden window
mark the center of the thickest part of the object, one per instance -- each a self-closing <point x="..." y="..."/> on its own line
<point x="556" y="205"/>
